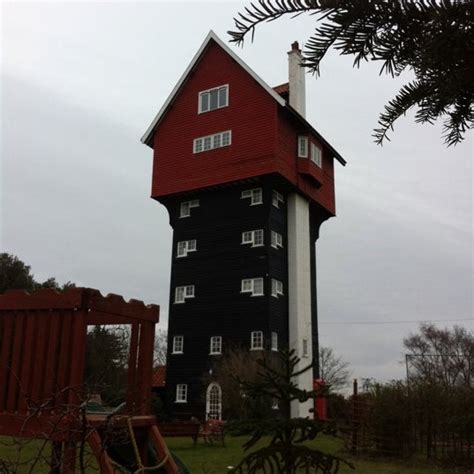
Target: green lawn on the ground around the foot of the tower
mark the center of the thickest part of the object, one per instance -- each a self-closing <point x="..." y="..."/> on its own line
<point x="215" y="459"/>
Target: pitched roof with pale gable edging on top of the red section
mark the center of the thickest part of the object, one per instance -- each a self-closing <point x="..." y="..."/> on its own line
<point x="275" y="92"/>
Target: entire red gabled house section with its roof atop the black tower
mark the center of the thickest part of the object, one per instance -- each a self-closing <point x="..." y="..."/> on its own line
<point x="264" y="131"/>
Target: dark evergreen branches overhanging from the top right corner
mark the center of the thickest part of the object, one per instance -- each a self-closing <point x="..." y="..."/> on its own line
<point x="432" y="39"/>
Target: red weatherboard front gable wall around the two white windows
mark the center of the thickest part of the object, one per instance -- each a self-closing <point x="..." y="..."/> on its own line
<point x="251" y="116"/>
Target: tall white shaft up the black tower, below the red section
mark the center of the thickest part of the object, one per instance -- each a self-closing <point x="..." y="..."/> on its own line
<point x="299" y="293"/>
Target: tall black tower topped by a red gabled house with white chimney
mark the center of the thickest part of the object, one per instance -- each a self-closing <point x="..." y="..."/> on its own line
<point x="247" y="182"/>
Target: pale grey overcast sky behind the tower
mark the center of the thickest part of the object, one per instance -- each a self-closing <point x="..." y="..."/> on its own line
<point x="81" y="82"/>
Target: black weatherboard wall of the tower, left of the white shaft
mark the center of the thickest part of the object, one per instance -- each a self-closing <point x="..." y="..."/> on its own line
<point x="217" y="269"/>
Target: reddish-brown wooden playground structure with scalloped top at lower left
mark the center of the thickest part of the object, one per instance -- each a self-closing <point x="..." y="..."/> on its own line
<point x="42" y="365"/>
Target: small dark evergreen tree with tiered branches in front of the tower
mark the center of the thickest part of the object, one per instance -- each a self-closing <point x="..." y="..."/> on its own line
<point x="285" y="453"/>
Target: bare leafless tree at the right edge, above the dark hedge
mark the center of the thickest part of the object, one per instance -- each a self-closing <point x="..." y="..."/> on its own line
<point x="443" y="356"/>
